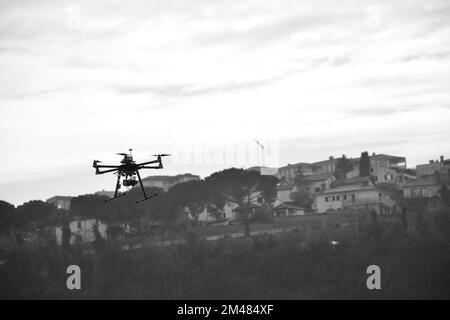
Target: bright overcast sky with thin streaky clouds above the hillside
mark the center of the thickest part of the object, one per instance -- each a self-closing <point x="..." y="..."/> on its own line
<point x="81" y="80"/>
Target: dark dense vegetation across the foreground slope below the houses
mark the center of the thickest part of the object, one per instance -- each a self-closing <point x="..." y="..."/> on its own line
<point x="297" y="265"/>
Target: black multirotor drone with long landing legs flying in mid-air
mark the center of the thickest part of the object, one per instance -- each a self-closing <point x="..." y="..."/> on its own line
<point x="128" y="169"/>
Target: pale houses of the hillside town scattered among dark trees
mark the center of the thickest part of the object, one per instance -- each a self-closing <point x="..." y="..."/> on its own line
<point x="377" y="183"/>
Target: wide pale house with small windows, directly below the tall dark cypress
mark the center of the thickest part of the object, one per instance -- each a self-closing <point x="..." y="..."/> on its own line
<point x="359" y="193"/>
